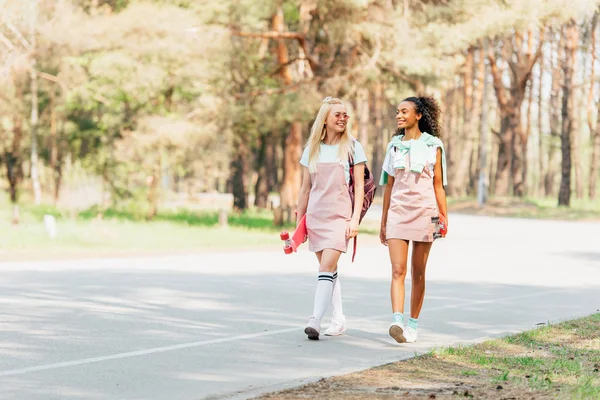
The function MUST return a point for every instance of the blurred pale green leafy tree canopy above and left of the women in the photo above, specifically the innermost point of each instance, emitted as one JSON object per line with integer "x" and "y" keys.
{"x": 133, "y": 89}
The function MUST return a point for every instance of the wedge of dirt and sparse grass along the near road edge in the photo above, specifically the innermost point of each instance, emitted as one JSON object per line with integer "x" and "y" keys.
{"x": 535, "y": 365}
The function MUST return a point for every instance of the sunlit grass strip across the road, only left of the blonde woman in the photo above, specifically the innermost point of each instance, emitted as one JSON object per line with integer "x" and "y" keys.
{"x": 122, "y": 232}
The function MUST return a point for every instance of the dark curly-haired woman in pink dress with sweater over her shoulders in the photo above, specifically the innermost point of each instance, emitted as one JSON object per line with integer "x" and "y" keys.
{"x": 414, "y": 175}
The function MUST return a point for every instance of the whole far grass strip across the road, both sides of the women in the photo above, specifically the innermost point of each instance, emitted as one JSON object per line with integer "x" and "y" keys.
{"x": 127, "y": 230}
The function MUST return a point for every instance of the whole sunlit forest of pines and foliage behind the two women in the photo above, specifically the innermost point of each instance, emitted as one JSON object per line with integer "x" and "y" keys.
{"x": 142, "y": 109}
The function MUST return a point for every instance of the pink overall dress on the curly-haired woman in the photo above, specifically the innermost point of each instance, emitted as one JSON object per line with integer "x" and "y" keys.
{"x": 412, "y": 205}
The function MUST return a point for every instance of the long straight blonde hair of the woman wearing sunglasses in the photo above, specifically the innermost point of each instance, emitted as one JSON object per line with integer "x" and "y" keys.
{"x": 319, "y": 131}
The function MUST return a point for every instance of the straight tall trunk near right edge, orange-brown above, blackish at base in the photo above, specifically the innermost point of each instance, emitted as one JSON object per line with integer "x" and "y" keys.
{"x": 569, "y": 123}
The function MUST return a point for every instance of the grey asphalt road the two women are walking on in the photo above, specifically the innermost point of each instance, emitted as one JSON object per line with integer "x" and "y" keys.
{"x": 230, "y": 325}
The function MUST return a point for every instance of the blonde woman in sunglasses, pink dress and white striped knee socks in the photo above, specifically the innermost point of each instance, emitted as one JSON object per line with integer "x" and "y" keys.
{"x": 330, "y": 220}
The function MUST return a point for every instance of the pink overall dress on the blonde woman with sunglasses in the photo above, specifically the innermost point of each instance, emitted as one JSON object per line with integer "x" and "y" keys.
{"x": 329, "y": 208}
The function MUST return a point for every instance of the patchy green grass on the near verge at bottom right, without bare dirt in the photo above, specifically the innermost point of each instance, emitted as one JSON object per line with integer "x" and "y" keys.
{"x": 563, "y": 357}
